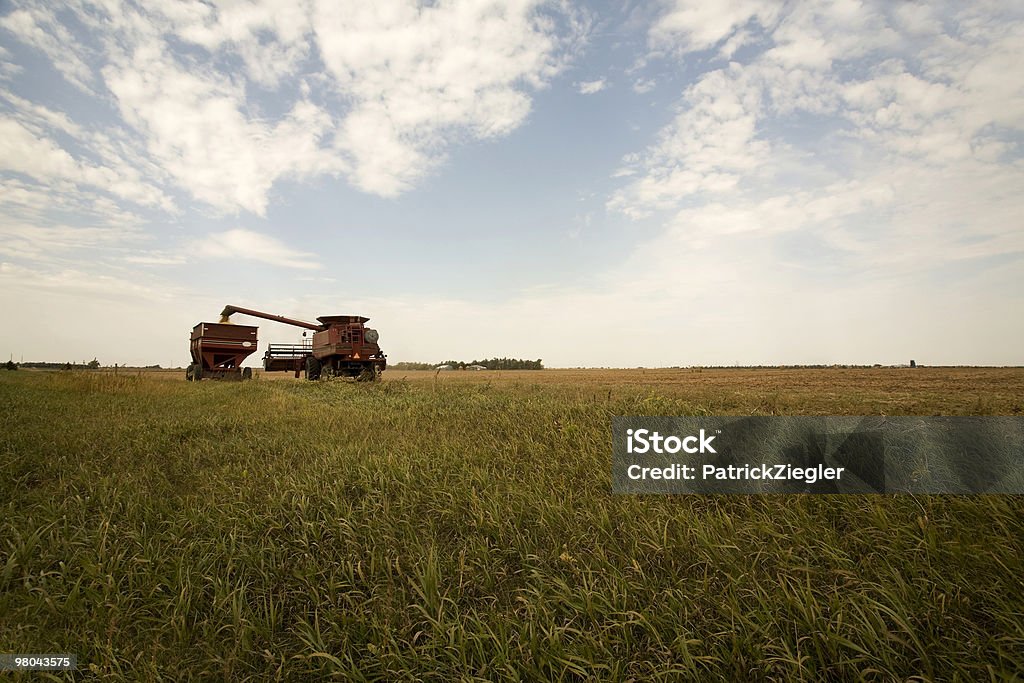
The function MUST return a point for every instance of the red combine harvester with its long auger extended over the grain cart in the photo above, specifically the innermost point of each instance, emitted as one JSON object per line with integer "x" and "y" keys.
{"x": 342, "y": 347}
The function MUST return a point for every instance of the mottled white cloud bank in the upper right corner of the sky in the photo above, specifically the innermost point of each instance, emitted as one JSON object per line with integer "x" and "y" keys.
{"x": 731, "y": 136}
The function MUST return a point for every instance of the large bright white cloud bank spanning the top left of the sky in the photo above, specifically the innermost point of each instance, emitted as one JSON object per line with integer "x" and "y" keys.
{"x": 401, "y": 84}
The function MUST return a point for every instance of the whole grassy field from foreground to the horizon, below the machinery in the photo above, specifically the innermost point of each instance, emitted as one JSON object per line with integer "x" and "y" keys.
{"x": 461, "y": 527}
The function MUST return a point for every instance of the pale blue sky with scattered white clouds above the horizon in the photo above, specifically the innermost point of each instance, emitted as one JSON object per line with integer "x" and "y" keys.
{"x": 622, "y": 185}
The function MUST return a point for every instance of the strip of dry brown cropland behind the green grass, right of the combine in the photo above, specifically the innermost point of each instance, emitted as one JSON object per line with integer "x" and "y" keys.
{"x": 785, "y": 392}
